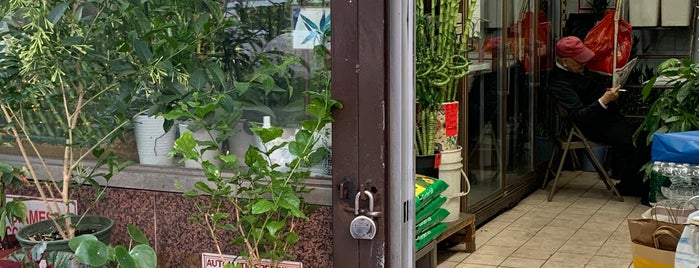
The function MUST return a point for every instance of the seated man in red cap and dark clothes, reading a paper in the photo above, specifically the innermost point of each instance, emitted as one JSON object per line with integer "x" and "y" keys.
{"x": 593, "y": 108}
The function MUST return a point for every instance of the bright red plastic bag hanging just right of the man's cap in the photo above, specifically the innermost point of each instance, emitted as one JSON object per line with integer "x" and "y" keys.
{"x": 600, "y": 40}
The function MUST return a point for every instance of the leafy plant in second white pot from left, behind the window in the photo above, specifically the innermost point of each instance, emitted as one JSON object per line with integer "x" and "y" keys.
{"x": 179, "y": 43}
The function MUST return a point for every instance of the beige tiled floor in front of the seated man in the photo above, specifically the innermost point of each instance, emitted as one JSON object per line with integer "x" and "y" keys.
{"x": 584, "y": 226}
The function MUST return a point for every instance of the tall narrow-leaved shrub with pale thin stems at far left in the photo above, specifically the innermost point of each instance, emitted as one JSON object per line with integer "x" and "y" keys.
{"x": 65, "y": 67}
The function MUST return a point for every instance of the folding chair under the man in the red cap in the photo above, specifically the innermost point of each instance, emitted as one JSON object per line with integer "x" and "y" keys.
{"x": 569, "y": 137}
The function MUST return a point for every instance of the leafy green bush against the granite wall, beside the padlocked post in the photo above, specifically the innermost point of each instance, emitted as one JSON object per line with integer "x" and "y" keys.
{"x": 265, "y": 197}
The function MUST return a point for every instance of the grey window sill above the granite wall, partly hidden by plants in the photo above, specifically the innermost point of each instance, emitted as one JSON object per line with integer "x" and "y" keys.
{"x": 161, "y": 178}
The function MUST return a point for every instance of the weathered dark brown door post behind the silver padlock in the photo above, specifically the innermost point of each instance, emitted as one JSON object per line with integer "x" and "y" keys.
{"x": 359, "y": 133}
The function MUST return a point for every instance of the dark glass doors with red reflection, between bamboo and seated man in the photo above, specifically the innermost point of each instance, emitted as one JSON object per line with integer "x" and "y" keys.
{"x": 508, "y": 60}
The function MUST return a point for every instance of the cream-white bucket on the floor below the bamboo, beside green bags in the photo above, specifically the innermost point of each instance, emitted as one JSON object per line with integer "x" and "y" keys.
{"x": 450, "y": 171}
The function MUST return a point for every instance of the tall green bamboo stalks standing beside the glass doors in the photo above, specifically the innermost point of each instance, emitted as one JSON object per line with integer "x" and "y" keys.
{"x": 440, "y": 63}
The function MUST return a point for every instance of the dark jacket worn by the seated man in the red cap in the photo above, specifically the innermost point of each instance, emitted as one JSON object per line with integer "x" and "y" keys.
{"x": 578, "y": 94}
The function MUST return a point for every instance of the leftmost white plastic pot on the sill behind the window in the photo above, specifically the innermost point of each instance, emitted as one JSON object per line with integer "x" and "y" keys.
{"x": 152, "y": 142}
